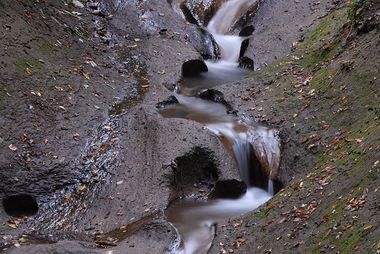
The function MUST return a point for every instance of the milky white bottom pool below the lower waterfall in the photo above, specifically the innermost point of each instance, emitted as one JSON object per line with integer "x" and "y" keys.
{"x": 195, "y": 221}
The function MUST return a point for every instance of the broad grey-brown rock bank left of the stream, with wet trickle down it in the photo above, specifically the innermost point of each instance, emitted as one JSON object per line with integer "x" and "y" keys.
{"x": 84, "y": 140}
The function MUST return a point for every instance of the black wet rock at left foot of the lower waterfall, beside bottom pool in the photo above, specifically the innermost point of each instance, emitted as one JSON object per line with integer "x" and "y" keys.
{"x": 229, "y": 189}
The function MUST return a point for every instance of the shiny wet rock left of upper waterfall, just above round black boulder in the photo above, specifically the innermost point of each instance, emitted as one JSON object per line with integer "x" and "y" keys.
{"x": 203, "y": 42}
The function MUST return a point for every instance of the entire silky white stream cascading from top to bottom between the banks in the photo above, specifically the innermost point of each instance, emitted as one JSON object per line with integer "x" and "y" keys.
{"x": 195, "y": 221}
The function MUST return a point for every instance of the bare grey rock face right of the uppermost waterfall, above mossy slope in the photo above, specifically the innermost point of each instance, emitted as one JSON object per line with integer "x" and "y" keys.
{"x": 278, "y": 32}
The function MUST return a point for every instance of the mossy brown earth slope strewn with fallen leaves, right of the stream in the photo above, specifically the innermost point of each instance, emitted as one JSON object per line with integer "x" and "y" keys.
{"x": 325, "y": 95}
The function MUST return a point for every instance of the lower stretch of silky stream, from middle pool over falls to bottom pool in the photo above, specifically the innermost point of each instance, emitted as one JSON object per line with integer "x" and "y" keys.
{"x": 195, "y": 221}
